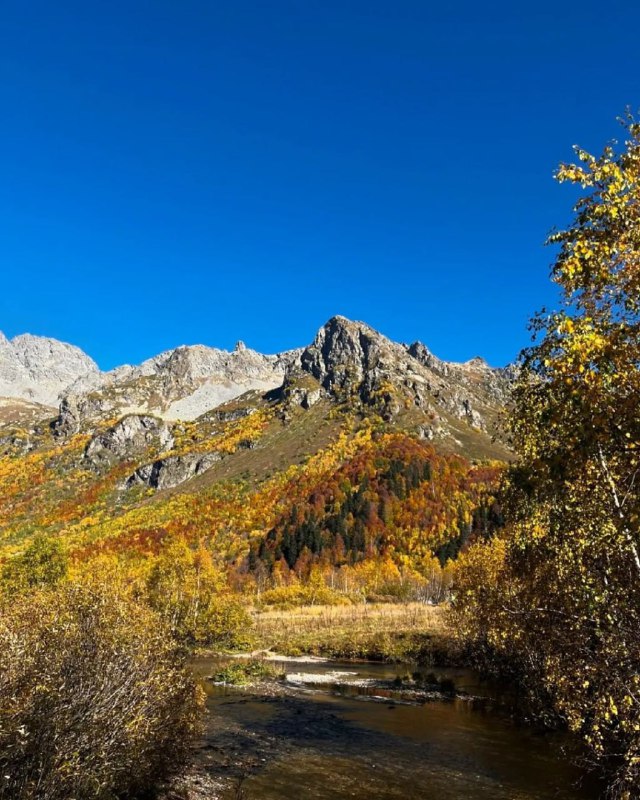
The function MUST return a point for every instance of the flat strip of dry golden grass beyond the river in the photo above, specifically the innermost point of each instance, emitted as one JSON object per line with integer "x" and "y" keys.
{"x": 381, "y": 632}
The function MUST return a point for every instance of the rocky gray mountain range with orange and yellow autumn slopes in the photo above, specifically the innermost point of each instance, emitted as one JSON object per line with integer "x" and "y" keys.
{"x": 351, "y": 446}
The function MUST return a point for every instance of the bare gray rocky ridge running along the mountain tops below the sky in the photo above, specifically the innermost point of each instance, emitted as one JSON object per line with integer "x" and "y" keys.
{"x": 347, "y": 360}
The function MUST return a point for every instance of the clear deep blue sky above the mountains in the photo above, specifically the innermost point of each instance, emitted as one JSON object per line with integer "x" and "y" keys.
{"x": 183, "y": 172}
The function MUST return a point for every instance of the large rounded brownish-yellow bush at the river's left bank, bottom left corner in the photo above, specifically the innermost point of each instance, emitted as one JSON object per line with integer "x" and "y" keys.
{"x": 95, "y": 703}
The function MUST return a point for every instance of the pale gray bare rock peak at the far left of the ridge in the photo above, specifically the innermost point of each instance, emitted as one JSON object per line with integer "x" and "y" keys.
{"x": 39, "y": 369}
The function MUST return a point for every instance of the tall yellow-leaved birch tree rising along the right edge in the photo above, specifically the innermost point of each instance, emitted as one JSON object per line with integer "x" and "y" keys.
{"x": 563, "y": 604}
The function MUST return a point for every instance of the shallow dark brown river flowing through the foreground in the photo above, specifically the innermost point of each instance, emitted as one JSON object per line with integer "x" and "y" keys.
{"x": 342, "y": 730}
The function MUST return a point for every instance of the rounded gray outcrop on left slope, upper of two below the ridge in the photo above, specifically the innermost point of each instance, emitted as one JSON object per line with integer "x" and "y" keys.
{"x": 129, "y": 437}
